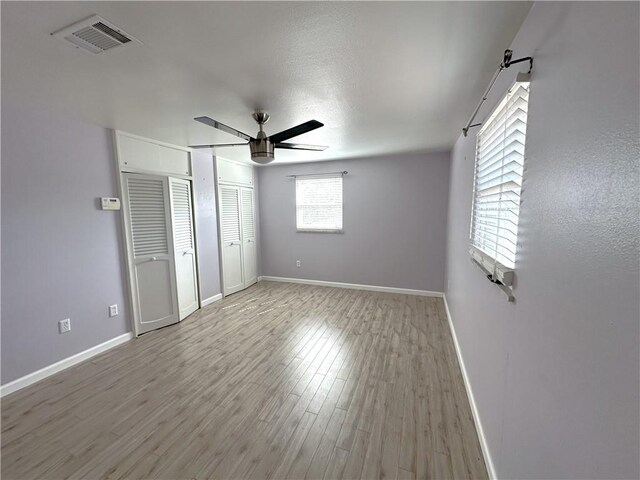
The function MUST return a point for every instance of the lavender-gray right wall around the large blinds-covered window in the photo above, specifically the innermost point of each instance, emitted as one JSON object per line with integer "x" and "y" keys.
{"x": 556, "y": 375}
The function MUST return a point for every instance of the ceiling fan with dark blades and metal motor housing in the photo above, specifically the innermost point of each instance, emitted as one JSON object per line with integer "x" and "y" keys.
{"x": 262, "y": 147}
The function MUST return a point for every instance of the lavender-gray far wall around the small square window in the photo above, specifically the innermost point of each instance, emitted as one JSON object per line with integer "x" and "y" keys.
{"x": 394, "y": 223}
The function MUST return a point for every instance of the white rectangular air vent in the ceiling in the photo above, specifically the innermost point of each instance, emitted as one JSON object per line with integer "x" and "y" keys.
{"x": 95, "y": 35}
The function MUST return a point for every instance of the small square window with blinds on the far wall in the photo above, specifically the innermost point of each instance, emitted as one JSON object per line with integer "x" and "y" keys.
{"x": 319, "y": 203}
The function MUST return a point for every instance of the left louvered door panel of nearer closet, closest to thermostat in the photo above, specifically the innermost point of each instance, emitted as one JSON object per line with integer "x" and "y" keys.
{"x": 151, "y": 257}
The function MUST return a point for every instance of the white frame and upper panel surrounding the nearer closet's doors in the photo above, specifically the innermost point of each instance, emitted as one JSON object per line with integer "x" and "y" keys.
{"x": 160, "y": 166}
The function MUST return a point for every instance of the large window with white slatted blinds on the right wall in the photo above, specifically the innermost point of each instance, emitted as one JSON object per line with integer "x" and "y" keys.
{"x": 498, "y": 179}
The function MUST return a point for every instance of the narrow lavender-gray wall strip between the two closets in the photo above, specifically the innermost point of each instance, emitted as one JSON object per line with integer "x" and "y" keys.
{"x": 206, "y": 224}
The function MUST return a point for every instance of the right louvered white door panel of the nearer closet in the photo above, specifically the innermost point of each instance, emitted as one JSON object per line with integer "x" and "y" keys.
{"x": 183, "y": 242}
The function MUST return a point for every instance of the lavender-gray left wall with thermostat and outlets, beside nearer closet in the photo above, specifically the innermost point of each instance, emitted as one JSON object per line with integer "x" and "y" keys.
{"x": 61, "y": 254}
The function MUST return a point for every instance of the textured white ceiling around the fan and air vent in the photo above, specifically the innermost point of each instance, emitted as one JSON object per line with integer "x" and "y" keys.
{"x": 384, "y": 77}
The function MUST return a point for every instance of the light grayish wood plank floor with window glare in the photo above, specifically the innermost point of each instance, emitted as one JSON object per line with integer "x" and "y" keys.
{"x": 277, "y": 381}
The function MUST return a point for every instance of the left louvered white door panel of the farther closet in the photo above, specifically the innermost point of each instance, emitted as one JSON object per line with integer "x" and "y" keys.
{"x": 231, "y": 246}
